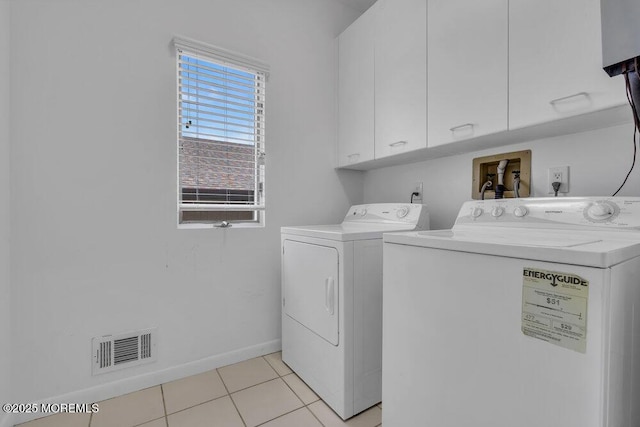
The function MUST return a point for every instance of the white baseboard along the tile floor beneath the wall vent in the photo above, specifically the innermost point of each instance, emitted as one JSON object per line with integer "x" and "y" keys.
{"x": 150, "y": 379}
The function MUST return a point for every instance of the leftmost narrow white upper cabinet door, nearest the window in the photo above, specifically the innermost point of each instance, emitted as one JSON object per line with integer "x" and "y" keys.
{"x": 355, "y": 91}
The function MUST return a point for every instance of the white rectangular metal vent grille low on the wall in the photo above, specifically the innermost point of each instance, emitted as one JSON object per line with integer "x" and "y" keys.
{"x": 113, "y": 352}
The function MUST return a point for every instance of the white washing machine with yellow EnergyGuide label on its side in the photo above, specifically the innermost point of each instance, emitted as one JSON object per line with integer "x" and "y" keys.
{"x": 525, "y": 314}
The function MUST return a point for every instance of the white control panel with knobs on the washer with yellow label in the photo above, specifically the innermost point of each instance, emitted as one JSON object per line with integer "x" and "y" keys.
{"x": 607, "y": 212}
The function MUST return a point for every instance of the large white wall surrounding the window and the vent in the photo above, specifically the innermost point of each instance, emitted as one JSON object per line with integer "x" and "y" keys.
{"x": 95, "y": 249}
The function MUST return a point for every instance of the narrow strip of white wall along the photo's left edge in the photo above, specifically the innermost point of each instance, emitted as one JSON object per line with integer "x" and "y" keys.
{"x": 5, "y": 334}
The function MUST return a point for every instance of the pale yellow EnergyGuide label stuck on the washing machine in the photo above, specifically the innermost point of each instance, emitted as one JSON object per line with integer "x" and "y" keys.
{"x": 554, "y": 307}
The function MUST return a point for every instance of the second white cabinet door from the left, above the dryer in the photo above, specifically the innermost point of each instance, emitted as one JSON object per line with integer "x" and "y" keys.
{"x": 400, "y": 76}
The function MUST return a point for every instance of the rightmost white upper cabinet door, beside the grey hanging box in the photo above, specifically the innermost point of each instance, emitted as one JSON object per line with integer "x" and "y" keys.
{"x": 555, "y": 61}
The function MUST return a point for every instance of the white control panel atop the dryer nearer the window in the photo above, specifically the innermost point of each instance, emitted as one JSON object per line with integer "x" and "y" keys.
{"x": 389, "y": 213}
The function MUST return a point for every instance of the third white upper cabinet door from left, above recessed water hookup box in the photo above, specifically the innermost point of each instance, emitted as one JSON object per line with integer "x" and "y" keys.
{"x": 467, "y": 69}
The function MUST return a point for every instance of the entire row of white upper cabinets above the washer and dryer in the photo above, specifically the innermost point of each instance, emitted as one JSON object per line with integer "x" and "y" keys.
{"x": 419, "y": 74}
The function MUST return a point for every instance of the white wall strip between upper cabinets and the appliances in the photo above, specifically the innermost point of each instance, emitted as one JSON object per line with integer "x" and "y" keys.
{"x": 598, "y": 161}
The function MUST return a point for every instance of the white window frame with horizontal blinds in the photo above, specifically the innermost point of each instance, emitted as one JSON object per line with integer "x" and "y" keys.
{"x": 222, "y": 213}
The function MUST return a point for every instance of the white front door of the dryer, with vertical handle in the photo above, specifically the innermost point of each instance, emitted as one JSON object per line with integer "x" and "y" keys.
{"x": 310, "y": 285}
